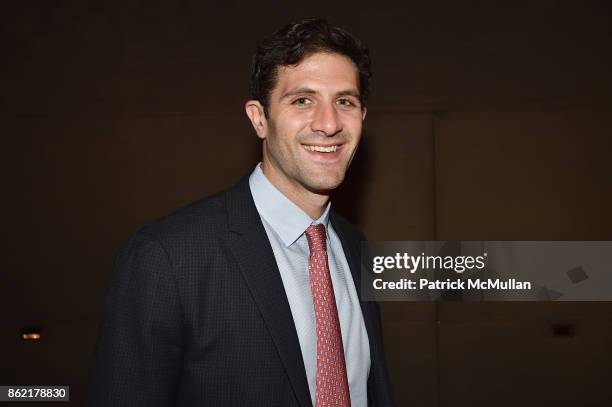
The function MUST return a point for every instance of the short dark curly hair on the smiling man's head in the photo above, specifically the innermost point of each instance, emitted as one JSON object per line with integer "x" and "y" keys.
{"x": 296, "y": 41}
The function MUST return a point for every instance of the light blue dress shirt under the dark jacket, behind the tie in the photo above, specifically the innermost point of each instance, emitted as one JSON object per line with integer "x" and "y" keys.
{"x": 286, "y": 224}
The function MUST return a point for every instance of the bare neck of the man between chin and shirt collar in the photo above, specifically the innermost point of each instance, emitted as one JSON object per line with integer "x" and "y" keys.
{"x": 312, "y": 203}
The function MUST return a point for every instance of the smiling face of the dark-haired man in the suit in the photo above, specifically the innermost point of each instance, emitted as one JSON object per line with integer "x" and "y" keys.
{"x": 314, "y": 124}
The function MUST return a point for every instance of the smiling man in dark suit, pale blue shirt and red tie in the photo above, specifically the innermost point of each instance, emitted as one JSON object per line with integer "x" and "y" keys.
{"x": 251, "y": 297}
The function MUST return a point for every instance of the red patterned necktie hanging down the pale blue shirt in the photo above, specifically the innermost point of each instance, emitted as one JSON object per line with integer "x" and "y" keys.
{"x": 332, "y": 383}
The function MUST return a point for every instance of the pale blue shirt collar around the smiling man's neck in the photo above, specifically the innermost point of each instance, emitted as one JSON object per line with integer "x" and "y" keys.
{"x": 287, "y": 219}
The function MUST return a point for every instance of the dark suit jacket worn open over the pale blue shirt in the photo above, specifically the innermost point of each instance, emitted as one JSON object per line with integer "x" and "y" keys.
{"x": 196, "y": 315}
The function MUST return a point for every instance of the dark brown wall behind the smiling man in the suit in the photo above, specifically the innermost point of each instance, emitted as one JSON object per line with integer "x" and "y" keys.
{"x": 486, "y": 122}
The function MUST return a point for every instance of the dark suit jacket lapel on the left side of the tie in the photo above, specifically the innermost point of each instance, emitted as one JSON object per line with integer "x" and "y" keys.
{"x": 253, "y": 252}
